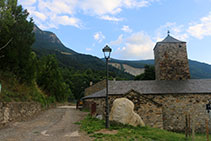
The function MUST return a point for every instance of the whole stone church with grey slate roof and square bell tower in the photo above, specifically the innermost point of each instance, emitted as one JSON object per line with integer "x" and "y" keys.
{"x": 164, "y": 102}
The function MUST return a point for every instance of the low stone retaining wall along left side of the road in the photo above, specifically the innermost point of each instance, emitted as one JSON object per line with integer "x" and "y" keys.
{"x": 17, "y": 111}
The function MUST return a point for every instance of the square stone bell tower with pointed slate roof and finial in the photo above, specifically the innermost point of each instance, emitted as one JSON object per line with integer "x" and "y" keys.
{"x": 171, "y": 61}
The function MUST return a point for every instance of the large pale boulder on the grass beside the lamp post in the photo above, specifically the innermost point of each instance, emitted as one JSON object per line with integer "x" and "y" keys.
{"x": 122, "y": 111}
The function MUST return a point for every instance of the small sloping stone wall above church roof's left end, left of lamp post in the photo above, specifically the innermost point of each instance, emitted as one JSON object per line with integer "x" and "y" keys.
{"x": 95, "y": 88}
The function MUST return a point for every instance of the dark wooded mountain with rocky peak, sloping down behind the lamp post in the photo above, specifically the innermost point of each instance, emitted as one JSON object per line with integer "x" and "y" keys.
{"x": 48, "y": 43}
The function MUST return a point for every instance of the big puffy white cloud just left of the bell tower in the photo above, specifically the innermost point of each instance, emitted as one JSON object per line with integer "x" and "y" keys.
{"x": 138, "y": 46}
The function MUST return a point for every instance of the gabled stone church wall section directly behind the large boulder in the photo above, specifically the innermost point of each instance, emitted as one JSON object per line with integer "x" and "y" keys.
{"x": 149, "y": 111}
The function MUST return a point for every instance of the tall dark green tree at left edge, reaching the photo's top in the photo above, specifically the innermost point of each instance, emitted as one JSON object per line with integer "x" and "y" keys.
{"x": 14, "y": 25}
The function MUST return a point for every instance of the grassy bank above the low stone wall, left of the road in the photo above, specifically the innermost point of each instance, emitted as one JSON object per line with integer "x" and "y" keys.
{"x": 13, "y": 91}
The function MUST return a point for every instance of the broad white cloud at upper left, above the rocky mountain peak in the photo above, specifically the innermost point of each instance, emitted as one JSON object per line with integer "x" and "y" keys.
{"x": 52, "y": 13}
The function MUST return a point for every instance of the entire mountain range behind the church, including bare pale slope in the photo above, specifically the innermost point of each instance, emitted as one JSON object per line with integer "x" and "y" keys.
{"x": 48, "y": 43}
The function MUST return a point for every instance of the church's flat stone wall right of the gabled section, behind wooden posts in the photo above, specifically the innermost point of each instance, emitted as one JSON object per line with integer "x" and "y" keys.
{"x": 175, "y": 107}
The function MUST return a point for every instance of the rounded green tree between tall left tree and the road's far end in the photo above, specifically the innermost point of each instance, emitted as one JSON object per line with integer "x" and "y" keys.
{"x": 51, "y": 81}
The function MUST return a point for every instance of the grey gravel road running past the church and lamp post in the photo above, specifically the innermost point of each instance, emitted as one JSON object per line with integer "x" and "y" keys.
{"x": 52, "y": 125}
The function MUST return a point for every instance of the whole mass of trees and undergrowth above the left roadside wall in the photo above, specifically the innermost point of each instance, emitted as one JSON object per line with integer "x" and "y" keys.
{"x": 23, "y": 64}
